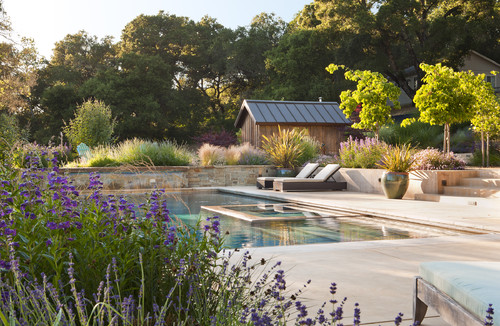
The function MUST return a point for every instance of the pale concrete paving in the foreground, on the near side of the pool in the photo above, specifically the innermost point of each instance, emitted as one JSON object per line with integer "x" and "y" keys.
{"x": 379, "y": 275}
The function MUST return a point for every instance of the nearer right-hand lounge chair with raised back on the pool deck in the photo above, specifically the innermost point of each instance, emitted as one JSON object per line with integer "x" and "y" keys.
{"x": 319, "y": 182}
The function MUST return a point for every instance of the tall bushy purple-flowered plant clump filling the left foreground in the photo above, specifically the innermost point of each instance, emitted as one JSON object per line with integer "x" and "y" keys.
{"x": 48, "y": 219}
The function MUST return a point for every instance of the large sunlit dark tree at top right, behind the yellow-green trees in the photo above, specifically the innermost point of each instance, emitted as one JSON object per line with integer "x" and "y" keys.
{"x": 391, "y": 36}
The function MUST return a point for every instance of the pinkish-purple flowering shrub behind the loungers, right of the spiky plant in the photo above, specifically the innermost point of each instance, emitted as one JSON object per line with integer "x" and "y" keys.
{"x": 361, "y": 153}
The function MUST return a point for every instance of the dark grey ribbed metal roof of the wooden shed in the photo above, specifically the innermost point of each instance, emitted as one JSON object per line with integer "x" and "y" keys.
{"x": 291, "y": 112}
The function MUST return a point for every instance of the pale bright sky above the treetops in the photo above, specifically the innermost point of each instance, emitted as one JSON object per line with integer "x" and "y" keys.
{"x": 49, "y": 21}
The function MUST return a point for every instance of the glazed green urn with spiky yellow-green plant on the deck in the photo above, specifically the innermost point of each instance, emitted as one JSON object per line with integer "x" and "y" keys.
{"x": 398, "y": 162}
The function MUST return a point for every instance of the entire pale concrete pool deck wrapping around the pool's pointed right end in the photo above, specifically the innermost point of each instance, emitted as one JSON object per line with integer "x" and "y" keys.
{"x": 379, "y": 275}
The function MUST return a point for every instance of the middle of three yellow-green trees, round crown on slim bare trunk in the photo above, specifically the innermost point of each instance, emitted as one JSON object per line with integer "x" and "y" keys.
{"x": 445, "y": 98}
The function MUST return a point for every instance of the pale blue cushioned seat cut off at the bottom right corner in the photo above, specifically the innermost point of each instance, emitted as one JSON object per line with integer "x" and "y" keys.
{"x": 459, "y": 291}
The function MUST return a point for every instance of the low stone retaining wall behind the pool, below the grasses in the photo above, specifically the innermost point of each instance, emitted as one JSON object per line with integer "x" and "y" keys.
{"x": 171, "y": 176}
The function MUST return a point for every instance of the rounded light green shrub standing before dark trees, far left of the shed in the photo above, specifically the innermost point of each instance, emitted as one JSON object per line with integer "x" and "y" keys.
{"x": 92, "y": 124}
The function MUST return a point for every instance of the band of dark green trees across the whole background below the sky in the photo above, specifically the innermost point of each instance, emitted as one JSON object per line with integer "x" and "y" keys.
{"x": 171, "y": 77}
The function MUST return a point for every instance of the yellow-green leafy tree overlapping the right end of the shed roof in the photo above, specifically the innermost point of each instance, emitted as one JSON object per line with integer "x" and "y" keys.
{"x": 373, "y": 93}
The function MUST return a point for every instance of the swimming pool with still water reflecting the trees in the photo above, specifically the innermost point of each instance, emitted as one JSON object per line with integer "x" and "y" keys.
{"x": 301, "y": 226}
